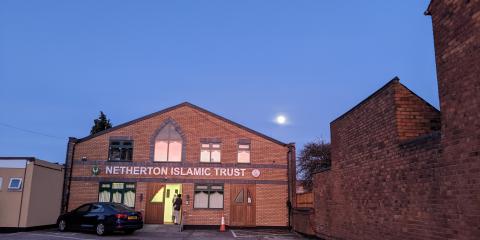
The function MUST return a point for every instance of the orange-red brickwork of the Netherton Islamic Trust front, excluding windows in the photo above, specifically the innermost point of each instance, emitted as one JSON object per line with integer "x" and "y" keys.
{"x": 195, "y": 124}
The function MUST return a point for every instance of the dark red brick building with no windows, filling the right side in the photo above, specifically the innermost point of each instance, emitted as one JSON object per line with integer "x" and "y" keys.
{"x": 401, "y": 169}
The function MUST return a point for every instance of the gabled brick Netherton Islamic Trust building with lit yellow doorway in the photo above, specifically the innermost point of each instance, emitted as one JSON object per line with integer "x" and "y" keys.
{"x": 219, "y": 167}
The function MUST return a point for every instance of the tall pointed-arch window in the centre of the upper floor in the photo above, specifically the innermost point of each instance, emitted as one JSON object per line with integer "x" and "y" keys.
{"x": 168, "y": 145}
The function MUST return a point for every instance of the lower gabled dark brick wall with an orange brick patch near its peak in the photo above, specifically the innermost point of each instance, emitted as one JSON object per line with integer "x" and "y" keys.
{"x": 379, "y": 185}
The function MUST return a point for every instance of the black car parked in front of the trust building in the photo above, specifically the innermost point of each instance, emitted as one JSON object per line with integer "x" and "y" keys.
{"x": 101, "y": 218}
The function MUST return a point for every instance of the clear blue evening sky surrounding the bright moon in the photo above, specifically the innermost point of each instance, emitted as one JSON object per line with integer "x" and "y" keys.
{"x": 61, "y": 62}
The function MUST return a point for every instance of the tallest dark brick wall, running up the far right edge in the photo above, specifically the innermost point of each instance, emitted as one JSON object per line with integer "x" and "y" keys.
{"x": 456, "y": 25}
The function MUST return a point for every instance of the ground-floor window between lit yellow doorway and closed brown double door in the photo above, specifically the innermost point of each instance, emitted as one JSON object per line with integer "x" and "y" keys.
{"x": 208, "y": 196}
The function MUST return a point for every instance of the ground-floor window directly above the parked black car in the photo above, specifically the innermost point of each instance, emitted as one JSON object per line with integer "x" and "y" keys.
{"x": 117, "y": 192}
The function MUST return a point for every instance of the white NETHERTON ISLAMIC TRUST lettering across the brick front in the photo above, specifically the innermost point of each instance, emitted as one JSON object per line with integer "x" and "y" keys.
{"x": 176, "y": 171}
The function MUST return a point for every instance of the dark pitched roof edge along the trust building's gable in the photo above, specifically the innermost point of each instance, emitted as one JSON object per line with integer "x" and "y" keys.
{"x": 171, "y": 109}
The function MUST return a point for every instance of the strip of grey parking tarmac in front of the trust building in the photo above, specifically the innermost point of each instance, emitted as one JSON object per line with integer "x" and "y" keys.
{"x": 156, "y": 233}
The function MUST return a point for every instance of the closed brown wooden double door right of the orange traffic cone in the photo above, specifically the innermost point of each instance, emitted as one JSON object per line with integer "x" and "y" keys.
{"x": 243, "y": 205}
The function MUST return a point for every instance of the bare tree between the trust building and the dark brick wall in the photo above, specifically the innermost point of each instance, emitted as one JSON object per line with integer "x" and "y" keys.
{"x": 315, "y": 156}
